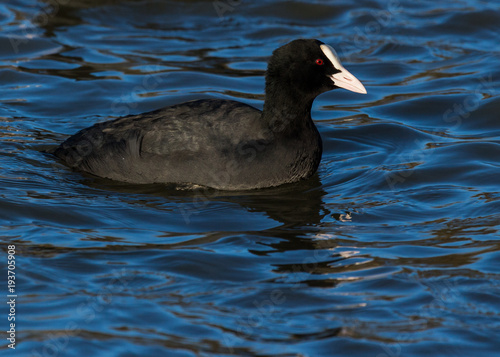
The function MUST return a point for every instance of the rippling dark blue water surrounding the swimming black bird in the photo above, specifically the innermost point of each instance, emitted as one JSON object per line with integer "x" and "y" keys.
{"x": 391, "y": 250}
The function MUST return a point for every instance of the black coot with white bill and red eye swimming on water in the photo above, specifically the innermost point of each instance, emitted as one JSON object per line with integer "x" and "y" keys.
{"x": 217, "y": 143}
